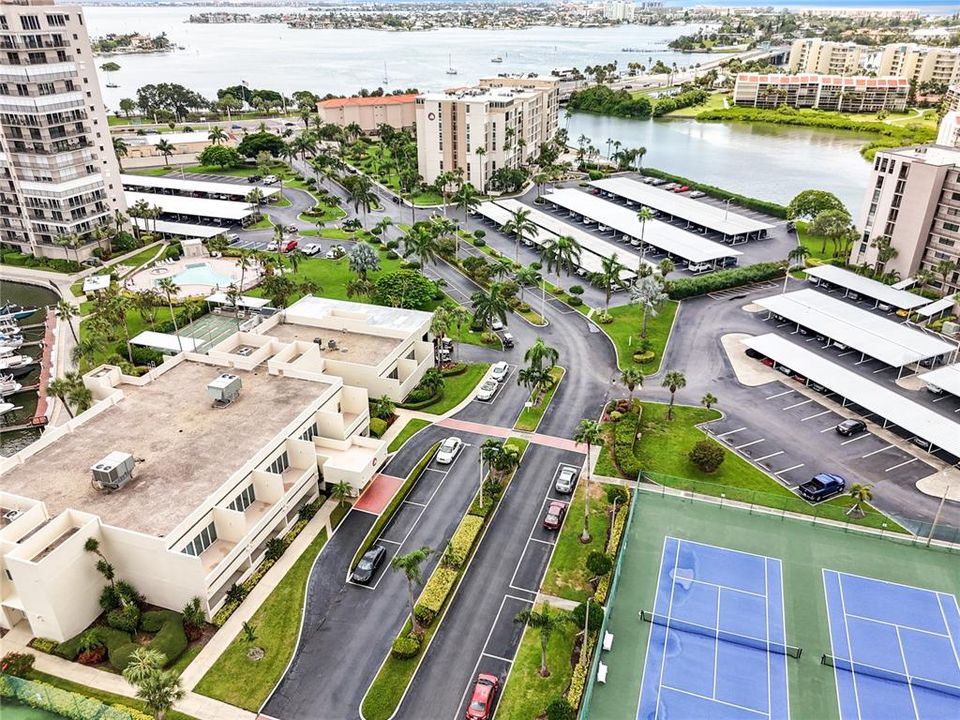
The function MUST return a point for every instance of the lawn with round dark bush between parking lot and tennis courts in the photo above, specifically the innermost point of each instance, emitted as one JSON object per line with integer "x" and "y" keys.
{"x": 663, "y": 448}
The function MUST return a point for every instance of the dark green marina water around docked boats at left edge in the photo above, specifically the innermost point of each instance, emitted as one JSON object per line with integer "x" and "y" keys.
{"x": 28, "y": 296}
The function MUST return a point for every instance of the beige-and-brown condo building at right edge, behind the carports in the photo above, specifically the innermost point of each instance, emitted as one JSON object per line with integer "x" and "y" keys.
{"x": 913, "y": 199}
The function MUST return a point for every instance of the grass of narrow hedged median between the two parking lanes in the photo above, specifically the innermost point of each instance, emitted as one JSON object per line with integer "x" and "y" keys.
{"x": 394, "y": 676}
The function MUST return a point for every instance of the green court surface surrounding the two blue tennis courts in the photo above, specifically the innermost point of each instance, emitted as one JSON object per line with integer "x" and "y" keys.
{"x": 804, "y": 551}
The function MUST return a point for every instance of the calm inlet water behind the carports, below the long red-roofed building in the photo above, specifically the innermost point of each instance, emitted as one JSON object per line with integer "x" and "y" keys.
{"x": 770, "y": 162}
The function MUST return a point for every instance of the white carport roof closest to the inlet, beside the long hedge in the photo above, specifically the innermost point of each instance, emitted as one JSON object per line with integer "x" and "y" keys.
{"x": 709, "y": 216}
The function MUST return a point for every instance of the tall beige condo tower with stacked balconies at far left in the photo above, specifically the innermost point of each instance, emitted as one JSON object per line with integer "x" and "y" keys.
{"x": 59, "y": 176}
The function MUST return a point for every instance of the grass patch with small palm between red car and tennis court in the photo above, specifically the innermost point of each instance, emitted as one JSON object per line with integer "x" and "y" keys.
{"x": 527, "y": 694}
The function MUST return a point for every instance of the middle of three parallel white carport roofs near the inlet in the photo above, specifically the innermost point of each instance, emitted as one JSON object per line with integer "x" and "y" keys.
{"x": 675, "y": 241}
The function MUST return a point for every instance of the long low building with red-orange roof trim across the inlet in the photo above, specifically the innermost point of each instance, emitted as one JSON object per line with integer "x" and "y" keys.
{"x": 821, "y": 92}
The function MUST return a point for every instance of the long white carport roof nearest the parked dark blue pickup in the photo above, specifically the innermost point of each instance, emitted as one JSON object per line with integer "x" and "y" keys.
{"x": 897, "y": 409}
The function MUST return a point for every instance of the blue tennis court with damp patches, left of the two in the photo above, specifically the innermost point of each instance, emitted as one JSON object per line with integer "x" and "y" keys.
{"x": 717, "y": 641}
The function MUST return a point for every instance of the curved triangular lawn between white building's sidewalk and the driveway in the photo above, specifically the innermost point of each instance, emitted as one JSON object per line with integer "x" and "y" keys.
{"x": 236, "y": 680}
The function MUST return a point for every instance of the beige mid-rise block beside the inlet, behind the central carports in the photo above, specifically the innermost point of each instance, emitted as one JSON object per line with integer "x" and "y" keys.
{"x": 500, "y": 123}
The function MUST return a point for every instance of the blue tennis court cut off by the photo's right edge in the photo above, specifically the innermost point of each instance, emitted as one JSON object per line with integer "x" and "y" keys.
{"x": 896, "y": 649}
